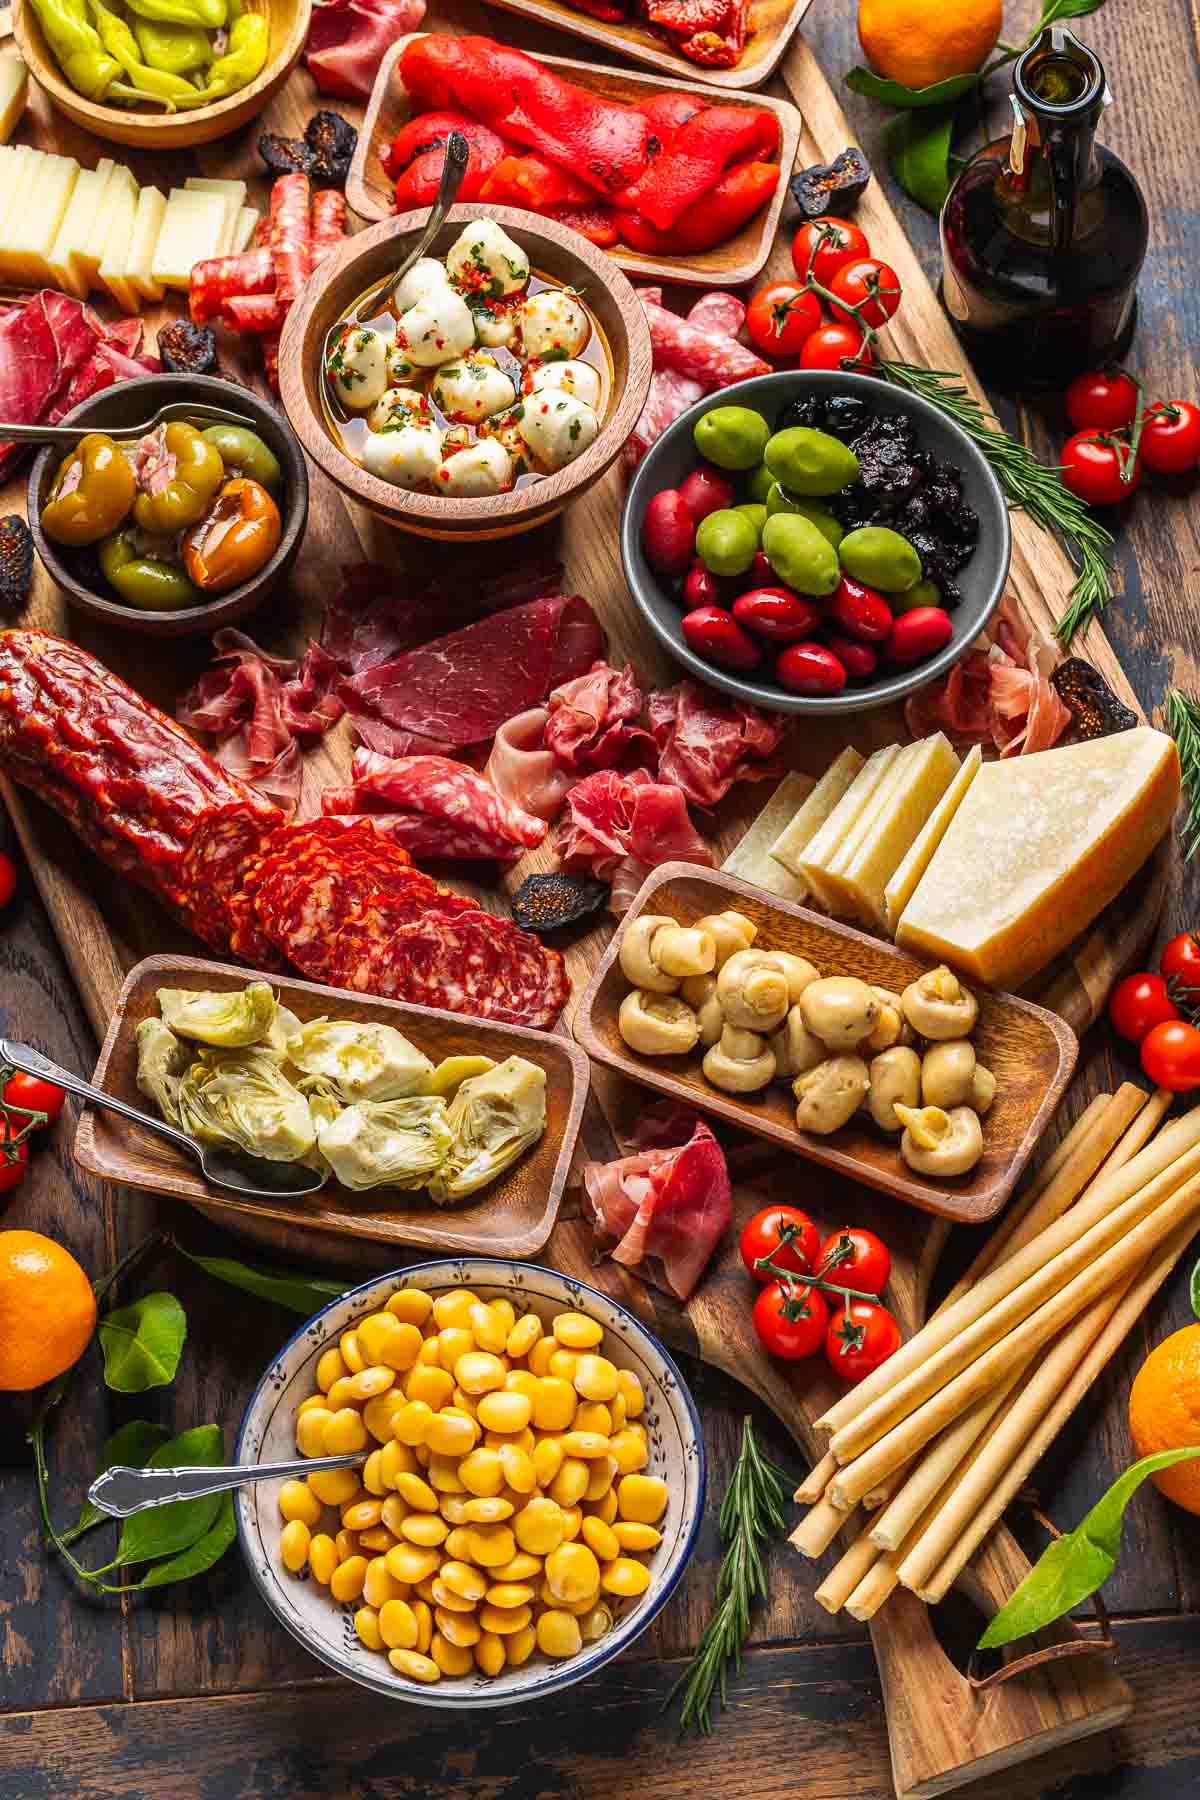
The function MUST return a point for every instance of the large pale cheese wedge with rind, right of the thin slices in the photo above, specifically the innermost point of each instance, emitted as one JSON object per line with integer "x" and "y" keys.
{"x": 1037, "y": 850}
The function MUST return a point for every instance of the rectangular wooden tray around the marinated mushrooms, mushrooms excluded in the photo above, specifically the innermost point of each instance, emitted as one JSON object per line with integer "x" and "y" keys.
{"x": 1030, "y": 1050}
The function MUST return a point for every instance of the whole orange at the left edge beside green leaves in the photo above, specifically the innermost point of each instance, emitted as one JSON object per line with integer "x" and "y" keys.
{"x": 48, "y": 1309}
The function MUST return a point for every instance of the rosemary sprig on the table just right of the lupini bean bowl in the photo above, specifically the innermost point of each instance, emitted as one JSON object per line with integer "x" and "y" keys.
{"x": 751, "y": 1509}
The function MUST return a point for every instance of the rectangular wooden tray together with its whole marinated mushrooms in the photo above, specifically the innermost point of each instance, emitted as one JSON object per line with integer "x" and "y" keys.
{"x": 843, "y": 1048}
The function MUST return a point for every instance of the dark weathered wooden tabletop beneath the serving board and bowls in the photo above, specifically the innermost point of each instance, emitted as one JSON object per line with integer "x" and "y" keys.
{"x": 195, "y": 1695}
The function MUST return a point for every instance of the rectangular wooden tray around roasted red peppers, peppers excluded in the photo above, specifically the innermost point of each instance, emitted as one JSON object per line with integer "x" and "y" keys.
{"x": 737, "y": 260}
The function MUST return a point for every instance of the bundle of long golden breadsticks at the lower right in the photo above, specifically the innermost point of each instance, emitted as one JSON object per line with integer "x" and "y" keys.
{"x": 927, "y": 1452}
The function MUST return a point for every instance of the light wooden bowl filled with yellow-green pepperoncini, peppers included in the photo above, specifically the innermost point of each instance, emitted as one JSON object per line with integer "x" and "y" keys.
{"x": 154, "y": 127}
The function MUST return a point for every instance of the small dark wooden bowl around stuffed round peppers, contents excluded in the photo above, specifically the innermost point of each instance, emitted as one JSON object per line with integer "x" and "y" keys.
{"x": 127, "y": 404}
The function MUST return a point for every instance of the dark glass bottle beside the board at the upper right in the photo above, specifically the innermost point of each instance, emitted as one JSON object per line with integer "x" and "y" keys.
{"x": 1044, "y": 233}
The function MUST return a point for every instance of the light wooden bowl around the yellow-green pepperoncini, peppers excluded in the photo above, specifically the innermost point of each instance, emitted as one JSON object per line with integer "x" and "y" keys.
{"x": 157, "y": 130}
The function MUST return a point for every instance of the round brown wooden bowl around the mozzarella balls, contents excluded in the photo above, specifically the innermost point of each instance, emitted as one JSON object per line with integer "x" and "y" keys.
{"x": 373, "y": 255}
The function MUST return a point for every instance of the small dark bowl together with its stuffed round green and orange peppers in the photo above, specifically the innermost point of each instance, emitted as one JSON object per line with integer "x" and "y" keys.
{"x": 172, "y": 564}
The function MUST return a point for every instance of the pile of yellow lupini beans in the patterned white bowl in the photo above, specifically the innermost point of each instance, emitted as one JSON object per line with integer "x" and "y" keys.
{"x": 503, "y": 1507}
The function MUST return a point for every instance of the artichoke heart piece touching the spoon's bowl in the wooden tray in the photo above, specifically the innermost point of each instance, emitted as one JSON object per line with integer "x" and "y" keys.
{"x": 244, "y": 1097}
